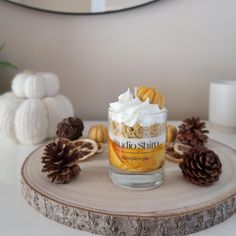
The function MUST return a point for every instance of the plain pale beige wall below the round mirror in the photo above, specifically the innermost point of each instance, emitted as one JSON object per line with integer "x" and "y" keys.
{"x": 178, "y": 45}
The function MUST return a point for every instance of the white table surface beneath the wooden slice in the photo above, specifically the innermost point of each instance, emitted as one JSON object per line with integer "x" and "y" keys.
{"x": 18, "y": 218}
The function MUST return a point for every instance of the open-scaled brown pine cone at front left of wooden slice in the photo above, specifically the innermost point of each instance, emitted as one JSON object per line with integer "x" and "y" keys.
{"x": 60, "y": 161}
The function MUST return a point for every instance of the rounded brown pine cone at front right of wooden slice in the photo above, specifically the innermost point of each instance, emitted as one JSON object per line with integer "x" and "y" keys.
{"x": 201, "y": 166}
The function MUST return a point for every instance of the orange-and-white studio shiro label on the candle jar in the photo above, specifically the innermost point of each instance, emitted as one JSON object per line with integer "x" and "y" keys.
{"x": 146, "y": 154}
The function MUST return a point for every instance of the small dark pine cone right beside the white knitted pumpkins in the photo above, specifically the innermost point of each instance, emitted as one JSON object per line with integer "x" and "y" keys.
{"x": 70, "y": 128}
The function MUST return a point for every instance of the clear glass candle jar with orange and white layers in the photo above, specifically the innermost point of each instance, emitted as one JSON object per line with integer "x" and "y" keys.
{"x": 137, "y": 150}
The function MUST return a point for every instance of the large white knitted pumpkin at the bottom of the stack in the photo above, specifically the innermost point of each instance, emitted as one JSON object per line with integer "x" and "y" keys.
{"x": 32, "y": 120}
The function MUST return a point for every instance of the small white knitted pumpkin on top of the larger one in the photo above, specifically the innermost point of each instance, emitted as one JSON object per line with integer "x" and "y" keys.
{"x": 32, "y": 84}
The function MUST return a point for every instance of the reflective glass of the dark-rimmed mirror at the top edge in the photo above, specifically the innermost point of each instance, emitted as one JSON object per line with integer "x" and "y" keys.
{"x": 81, "y": 6}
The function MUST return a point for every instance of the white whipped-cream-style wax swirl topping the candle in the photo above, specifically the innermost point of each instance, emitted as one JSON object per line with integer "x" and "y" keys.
{"x": 128, "y": 109}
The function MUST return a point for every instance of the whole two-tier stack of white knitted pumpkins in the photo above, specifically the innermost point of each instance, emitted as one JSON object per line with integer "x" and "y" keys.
{"x": 32, "y": 111}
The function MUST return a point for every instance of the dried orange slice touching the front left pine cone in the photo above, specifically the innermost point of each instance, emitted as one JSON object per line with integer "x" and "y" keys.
{"x": 85, "y": 148}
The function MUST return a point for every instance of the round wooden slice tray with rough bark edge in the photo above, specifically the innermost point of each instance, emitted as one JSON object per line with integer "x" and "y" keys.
{"x": 92, "y": 203}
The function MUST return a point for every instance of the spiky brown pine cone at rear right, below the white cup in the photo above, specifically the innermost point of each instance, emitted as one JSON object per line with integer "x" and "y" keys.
{"x": 192, "y": 132}
